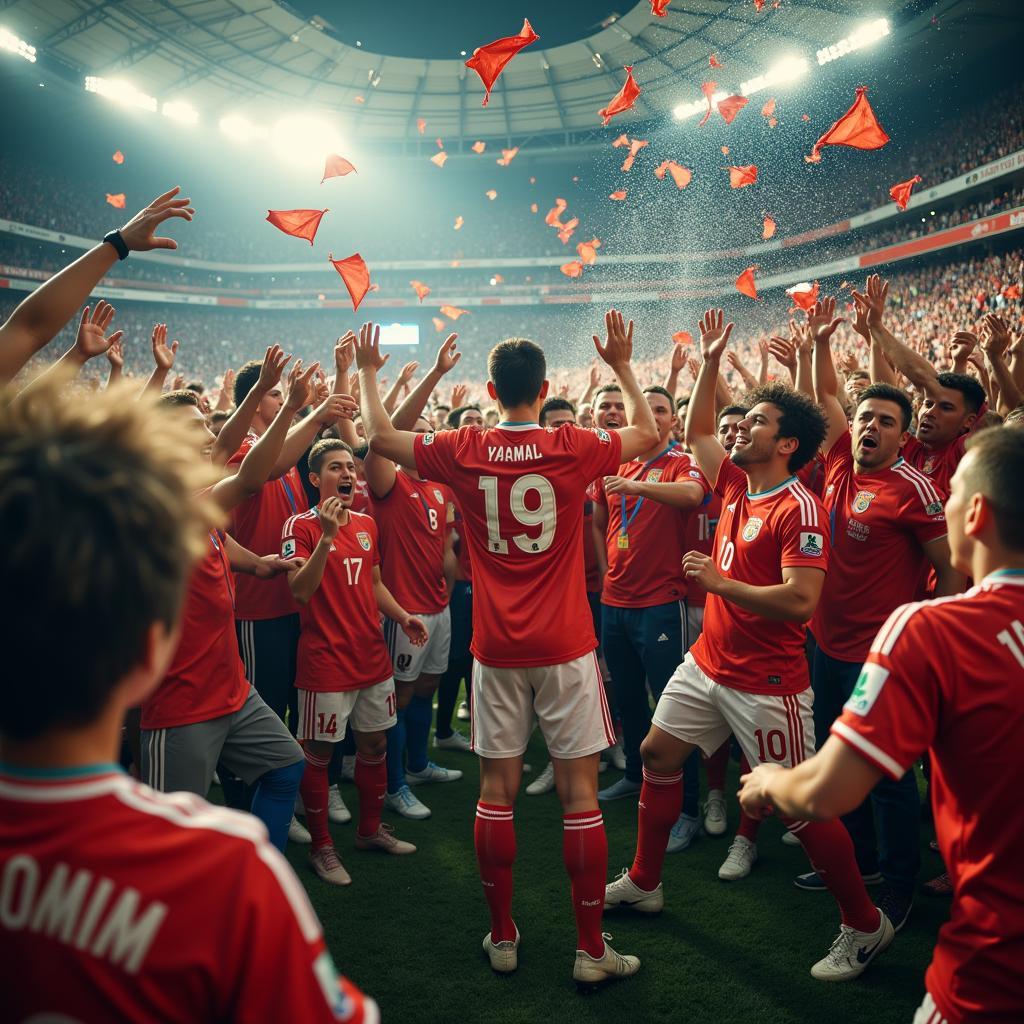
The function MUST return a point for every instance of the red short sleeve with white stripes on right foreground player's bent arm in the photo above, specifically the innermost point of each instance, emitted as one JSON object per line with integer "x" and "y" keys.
{"x": 892, "y": 715}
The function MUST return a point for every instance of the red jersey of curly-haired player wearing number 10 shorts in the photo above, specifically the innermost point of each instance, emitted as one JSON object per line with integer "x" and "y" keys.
{"x": 759, "y": 536}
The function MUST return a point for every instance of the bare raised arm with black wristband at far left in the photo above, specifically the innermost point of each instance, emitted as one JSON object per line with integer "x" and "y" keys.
{"x": 40, "y": 318}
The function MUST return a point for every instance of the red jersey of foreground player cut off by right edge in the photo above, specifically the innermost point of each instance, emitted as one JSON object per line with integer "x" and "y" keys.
{"x": 949, "y": 676}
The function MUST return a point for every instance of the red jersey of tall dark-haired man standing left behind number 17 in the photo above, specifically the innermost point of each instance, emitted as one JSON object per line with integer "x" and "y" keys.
{"x": 257, "y": 525}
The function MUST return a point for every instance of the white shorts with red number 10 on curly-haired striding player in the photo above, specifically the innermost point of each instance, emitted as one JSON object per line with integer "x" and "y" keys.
{"x": 699, "y": 711}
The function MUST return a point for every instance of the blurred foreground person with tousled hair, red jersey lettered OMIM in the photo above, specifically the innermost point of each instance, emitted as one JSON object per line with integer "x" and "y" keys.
{"x": 121, "y": 904}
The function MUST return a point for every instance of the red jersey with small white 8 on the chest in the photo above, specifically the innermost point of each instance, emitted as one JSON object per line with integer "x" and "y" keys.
{"x": 412, "y": 520}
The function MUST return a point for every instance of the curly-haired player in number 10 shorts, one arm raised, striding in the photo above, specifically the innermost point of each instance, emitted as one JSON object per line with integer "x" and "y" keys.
{"x": 748, "y": 673}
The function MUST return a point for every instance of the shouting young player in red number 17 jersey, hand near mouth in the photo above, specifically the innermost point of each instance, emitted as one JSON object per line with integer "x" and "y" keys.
{"x": 345, "y": 670}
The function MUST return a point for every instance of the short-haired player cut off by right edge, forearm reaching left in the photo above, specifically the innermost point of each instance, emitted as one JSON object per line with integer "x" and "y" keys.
{"x": 948, "y": 676}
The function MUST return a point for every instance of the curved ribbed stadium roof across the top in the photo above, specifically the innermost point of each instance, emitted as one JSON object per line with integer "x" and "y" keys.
{"x": 257, "y": 58}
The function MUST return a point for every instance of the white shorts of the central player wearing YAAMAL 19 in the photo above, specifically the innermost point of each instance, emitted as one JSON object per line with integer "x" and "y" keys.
{"x": 567, "y": 701}
